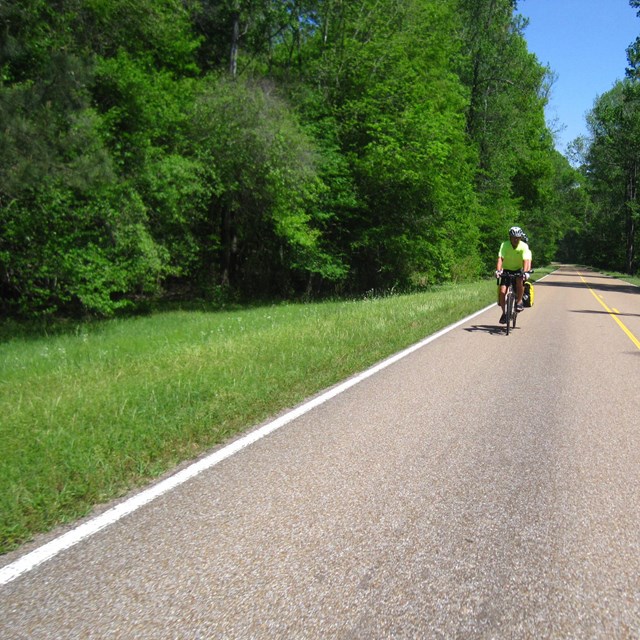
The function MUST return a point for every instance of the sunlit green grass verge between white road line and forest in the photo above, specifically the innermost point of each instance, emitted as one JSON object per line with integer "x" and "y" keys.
{"x": 88, "y": 415}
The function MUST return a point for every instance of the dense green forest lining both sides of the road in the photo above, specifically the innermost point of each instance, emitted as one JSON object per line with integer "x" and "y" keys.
{"x": 223, "y": 149}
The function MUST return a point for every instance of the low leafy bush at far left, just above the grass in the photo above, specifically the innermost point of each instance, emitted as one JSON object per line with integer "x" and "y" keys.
{"x": 58, "y": 254}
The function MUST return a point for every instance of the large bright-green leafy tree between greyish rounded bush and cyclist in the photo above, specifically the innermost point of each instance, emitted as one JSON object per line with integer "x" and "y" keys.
{"x": 383, "y": 72}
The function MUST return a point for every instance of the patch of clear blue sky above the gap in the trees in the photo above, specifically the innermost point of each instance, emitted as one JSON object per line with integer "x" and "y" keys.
{"x": 584, "y": 42}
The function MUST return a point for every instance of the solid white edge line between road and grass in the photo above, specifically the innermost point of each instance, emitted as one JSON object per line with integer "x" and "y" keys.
{"x": 65, "y": 541}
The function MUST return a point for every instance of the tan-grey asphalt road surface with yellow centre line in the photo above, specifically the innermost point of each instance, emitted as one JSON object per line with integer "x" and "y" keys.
{"x": 483, "y": 487}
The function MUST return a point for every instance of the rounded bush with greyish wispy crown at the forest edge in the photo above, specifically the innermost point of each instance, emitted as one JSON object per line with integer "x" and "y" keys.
{"x": 267, "y": 185}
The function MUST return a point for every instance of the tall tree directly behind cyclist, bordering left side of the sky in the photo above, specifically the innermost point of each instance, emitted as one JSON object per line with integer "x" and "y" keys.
{"x": 508, "y": 89}
